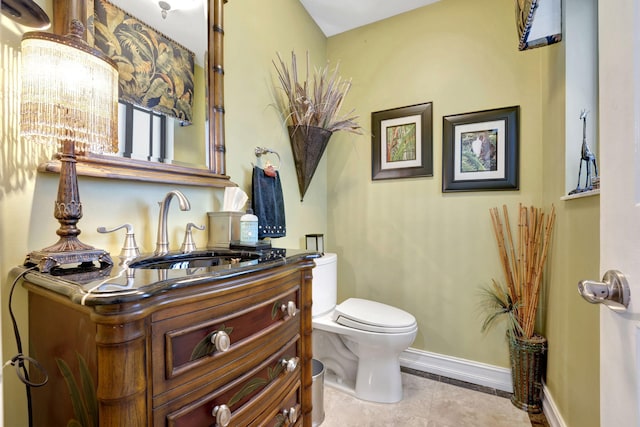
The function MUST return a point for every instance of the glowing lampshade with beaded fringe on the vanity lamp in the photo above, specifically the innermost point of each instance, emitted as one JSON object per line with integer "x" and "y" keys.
{"x": 68, "y": 93}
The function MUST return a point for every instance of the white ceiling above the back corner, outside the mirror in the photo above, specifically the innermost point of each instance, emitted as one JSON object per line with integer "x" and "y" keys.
{"x": 337, "y": 16}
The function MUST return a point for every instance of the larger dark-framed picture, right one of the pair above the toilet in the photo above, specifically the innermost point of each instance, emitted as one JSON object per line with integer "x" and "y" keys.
{"x": 480, "y": 150}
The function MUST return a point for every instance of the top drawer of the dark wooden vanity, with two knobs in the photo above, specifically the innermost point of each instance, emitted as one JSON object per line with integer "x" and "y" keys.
{"x": 184, "y": 353}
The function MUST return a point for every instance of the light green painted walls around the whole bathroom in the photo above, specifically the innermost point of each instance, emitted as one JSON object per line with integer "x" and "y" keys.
{"x": 403, "y": 242}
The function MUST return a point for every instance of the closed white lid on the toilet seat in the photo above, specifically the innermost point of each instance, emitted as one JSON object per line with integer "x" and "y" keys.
{"x": 373, "y": 316}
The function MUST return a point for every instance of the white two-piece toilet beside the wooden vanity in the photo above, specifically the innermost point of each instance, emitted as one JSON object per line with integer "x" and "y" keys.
{"x": 359, "y": 341}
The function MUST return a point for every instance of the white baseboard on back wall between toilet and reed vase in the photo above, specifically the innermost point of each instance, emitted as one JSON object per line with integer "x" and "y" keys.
{"x": 457, "y": 368}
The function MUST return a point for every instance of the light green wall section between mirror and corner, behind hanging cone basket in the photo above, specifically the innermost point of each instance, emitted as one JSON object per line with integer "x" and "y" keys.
{"x": 255, "y": 31}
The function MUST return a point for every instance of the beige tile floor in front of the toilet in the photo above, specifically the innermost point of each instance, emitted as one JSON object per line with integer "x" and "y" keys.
{"x": 429, "y": 402}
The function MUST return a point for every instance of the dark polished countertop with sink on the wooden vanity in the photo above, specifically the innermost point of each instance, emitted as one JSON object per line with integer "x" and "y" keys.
{"x": 121, "y": 283}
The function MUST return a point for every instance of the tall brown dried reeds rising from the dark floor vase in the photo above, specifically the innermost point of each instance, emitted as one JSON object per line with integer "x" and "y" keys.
{"x": 523, "y": 263}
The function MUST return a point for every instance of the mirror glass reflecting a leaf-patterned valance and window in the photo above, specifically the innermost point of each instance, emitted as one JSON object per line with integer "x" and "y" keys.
{"x": 164, "y": 117}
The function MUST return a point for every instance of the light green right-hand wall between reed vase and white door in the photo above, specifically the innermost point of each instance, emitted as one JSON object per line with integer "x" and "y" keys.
{"x": 570, "y": 323}
